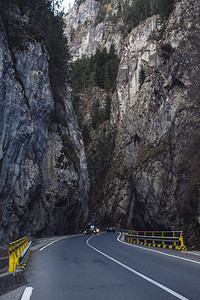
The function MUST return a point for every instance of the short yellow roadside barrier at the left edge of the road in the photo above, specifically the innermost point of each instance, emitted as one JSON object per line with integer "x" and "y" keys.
{"x": 19, "y": 252}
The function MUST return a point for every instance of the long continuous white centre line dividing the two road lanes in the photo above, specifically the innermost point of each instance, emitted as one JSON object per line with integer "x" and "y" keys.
{"x": 138, "y": 273}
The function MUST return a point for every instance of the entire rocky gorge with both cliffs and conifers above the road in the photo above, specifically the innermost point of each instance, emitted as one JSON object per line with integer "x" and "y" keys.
{"x": 117, "y": 140}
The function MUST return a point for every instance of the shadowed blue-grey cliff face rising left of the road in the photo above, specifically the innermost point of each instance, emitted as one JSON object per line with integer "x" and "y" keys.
{"x": 44, "y": 181}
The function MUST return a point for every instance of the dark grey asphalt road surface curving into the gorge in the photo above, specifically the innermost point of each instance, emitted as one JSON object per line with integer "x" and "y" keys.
{"x": 101, "y": 267}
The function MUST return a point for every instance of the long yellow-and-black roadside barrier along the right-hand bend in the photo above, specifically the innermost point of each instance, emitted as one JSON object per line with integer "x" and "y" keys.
{"x": 160, "y": 239}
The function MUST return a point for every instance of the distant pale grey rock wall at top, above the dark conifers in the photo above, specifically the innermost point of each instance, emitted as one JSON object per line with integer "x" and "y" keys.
{"x": 86, "y": 31}
